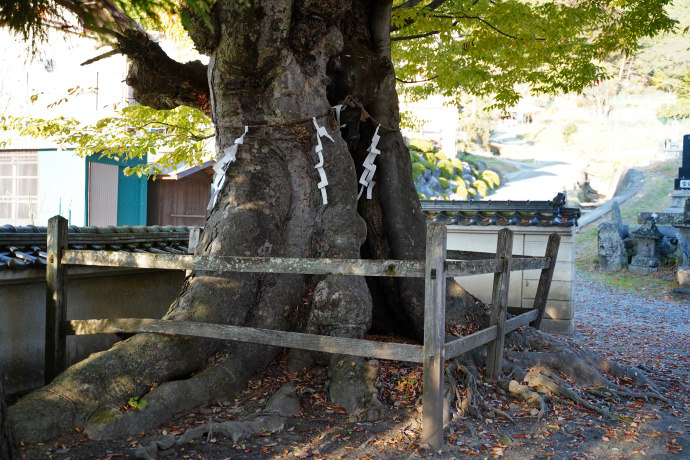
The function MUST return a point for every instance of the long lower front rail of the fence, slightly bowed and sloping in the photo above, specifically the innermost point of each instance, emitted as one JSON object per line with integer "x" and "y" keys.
{"x": 326, "y": 344}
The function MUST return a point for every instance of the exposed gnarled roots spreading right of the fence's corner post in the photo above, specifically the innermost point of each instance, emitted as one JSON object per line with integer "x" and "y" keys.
{"x": 539, "y": 366}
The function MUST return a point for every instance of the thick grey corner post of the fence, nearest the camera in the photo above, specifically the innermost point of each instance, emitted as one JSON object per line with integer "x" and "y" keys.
{"x": 434, "y": 334}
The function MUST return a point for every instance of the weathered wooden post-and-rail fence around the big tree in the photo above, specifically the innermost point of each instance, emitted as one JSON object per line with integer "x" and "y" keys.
{"x": 439, "y": 265}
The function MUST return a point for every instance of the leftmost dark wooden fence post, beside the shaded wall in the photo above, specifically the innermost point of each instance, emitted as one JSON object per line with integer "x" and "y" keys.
{"x": 55, "y": 348}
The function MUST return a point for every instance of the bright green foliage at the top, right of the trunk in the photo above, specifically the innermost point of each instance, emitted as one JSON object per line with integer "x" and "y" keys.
{"x": 488, "y": 48}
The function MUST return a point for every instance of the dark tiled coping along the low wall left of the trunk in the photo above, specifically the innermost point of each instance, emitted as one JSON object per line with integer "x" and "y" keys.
{"x": 25, "y": 247}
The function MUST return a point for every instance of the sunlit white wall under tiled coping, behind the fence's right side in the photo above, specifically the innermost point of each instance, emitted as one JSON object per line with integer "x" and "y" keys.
{"x": 529, "y": 241}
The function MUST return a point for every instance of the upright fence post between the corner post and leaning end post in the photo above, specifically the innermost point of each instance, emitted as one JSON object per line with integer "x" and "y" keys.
{"x": 499, "y": 298}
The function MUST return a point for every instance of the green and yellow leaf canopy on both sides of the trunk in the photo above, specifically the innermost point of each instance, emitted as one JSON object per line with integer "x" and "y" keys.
{"x": 452, "y": 47}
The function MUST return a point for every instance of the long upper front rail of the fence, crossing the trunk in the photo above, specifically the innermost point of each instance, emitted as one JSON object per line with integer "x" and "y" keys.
{"x": 355, "y": 267}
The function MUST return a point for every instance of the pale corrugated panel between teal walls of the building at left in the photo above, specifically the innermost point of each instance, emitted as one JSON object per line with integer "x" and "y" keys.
{"x": 103, "y": 193}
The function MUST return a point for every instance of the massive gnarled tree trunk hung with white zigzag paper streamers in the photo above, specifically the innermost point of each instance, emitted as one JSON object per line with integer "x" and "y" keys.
{"x": 275, "y": 65}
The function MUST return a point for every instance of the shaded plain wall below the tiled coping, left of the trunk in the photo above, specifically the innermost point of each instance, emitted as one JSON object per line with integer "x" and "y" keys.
{"x": 91, "y": 293}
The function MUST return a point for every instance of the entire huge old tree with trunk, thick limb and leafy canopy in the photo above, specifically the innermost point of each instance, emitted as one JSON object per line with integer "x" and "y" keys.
{"x": 277, "y": 67}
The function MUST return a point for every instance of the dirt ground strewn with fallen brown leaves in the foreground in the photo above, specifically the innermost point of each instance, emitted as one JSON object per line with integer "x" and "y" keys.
{"x": 651, "y": 430}
